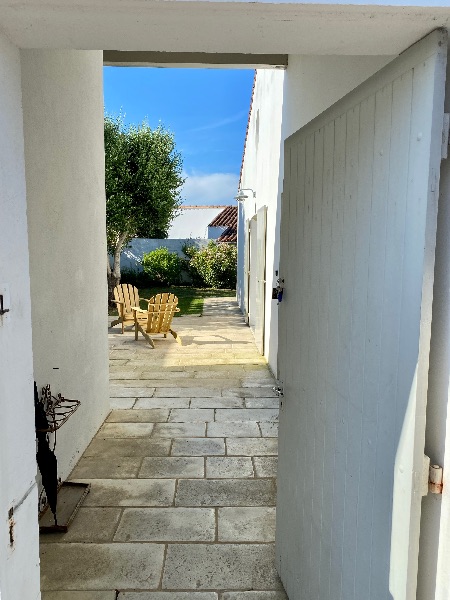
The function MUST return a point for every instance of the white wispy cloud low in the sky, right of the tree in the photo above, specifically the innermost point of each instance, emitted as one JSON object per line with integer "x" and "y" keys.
{"x": 211, "y": 188}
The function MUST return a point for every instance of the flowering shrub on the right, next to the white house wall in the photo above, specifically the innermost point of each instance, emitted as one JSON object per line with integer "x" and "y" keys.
{"x": 215, "y": 265}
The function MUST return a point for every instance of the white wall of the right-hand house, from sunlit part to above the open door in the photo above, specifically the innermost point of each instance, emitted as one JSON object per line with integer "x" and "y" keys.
{"x": 283, "y": 102}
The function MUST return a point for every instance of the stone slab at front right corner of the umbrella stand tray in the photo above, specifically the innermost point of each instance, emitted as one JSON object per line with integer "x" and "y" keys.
{"x": 91, "y": 525}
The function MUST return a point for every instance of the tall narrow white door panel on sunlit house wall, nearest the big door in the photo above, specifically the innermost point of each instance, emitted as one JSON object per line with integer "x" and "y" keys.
{"x": 260, "y": 286}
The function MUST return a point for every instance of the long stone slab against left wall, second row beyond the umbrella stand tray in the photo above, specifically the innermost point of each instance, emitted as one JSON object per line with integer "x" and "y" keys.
{"x": 114, "y": 447}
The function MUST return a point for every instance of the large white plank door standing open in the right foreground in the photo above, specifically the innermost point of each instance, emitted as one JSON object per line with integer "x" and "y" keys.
{"x": 357, "y": 254}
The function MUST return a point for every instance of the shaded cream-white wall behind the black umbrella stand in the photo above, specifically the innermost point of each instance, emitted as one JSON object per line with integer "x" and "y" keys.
{"x": 64, "y": 156}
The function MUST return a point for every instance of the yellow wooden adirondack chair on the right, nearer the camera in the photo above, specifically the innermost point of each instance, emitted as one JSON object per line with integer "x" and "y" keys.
{"x": 157, "y": 318}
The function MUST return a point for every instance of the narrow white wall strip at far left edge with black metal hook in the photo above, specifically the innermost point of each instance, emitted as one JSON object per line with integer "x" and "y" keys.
{"x": 17, "y": 437}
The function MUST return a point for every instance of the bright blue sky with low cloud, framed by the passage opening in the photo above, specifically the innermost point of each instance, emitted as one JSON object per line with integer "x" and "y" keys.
{"x": 206, "y": 109}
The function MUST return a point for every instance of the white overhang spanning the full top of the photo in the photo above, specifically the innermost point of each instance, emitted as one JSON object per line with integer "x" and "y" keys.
{"x": 221, "y": 27}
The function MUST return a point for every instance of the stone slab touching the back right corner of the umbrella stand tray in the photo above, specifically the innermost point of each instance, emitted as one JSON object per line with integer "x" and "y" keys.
{"x": 130, "y": 492}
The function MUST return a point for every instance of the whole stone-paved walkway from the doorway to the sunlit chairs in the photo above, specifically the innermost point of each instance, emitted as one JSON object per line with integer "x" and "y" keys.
{"x": 182, "y": 504}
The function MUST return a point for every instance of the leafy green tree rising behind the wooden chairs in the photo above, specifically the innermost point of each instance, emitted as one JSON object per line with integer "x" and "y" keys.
{"x": 143, "y": 179}
